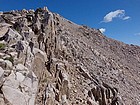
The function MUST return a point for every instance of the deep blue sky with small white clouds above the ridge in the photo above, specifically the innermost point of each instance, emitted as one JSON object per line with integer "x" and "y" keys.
{"x": 120, "y": 19}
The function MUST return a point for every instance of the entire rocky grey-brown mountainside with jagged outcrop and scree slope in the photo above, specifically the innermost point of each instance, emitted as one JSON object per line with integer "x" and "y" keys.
{"x": 48, "y": 60}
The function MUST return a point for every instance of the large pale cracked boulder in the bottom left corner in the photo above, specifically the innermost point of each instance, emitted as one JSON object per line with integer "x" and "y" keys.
{"x": 18, "y": 88}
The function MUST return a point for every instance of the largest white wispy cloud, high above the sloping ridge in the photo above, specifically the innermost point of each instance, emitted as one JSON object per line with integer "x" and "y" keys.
{"x": 115, "y": 14}
